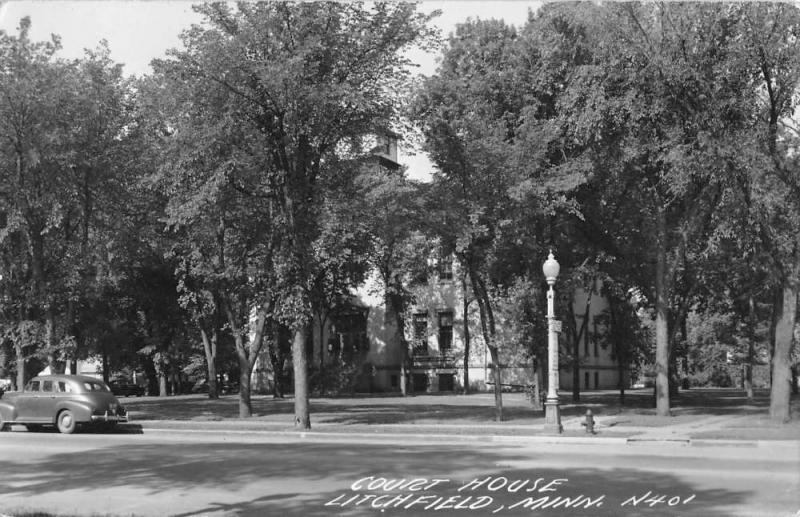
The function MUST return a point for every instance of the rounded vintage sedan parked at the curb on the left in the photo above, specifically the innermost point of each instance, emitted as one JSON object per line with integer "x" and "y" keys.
{"x": 64, "y": 401}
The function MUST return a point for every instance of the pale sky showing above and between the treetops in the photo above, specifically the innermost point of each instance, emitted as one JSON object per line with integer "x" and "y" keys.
{"x": 138, "y": 31}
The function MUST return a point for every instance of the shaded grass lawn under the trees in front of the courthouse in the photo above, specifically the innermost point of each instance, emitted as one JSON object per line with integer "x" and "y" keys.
{"x": 733, "y": 415}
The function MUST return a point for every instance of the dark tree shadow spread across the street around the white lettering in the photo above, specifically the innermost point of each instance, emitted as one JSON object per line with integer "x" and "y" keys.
{"x": 299, "y": 479}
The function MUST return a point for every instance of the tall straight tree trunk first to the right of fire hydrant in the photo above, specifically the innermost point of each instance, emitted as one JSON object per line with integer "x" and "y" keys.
{"x": 662, "y": 331}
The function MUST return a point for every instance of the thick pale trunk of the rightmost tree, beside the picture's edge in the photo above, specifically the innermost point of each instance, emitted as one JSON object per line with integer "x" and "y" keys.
{"x": 780, "y": 392}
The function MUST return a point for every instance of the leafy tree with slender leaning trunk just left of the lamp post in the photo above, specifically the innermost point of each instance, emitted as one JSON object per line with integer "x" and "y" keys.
{"x": 490, "y": 123}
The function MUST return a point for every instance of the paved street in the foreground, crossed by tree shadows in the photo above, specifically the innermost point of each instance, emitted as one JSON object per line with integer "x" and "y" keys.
{"x": 222, "y": 474}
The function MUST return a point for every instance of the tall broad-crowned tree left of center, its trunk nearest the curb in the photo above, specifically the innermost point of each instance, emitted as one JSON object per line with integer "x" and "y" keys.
{"x": 326, "y": 75}
